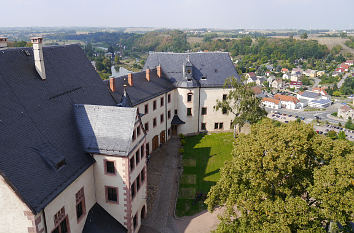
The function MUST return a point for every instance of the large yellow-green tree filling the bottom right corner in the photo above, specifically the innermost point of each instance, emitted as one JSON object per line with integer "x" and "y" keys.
{"x": 285, "y": 178}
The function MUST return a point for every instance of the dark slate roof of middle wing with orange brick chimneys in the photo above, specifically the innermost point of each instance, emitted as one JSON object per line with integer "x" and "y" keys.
{"x": 142, "y": 90}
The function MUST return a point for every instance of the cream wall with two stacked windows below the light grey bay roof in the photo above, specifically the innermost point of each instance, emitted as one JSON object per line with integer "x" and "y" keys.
{"x": 101, "y": 180}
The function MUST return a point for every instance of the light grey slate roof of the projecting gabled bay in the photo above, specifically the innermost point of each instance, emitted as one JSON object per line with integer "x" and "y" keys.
{"x": 106, "y": 129}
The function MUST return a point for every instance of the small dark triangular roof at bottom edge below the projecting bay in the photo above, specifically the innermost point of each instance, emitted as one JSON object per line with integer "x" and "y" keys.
{"x": 100, "y": 221}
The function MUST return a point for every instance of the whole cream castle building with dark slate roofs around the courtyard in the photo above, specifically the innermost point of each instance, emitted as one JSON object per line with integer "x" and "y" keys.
{"x": 74, "y": 148}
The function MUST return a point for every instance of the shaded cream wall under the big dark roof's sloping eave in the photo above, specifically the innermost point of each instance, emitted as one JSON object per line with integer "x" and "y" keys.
{"x": 67, "y": 199}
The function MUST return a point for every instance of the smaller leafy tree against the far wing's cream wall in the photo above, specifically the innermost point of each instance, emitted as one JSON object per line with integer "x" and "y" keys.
{"x": 241, "y": 102}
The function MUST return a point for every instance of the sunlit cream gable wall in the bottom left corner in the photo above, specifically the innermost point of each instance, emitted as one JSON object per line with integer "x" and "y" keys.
{"x": 12, "y": 208}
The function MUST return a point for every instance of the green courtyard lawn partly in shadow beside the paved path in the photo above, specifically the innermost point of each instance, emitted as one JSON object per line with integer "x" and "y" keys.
{"x": 203, "y": 157}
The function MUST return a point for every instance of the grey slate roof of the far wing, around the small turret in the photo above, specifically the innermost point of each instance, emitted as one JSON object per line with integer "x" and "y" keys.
{"x": 215, "y": 66}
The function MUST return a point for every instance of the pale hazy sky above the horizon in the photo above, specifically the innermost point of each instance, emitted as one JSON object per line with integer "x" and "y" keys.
{"x": 220, "y": 14}
